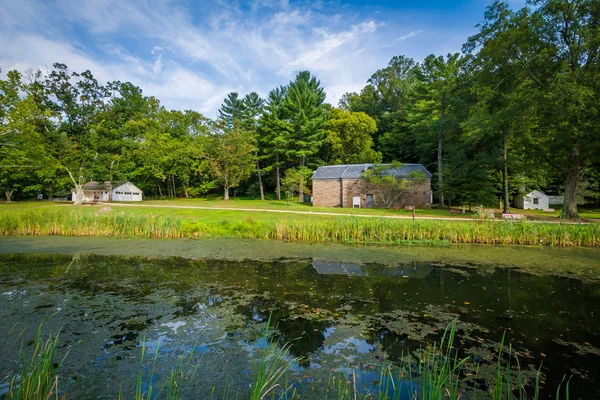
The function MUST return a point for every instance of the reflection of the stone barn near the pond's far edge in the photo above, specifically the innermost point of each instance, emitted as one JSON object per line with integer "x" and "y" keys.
{"x": 414, "y": 269}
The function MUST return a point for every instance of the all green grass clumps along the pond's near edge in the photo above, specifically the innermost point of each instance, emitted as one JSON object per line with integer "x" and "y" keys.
{"x": 432, "y": 372}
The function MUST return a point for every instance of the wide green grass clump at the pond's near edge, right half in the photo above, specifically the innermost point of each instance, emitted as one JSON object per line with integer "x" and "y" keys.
{"x": 437, "y": 373}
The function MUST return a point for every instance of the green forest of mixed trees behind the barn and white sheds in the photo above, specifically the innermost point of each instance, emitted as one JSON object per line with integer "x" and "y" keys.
{"x": 516, "y": 109}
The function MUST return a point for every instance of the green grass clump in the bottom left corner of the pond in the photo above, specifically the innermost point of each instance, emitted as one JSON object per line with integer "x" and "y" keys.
{"x": 38, "y": 377}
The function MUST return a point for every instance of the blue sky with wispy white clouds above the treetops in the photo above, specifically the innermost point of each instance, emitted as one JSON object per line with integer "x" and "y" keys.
{"x": 191, "y": 53}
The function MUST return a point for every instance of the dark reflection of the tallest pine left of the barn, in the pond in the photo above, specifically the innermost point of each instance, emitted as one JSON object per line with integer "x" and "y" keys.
{"x": 304, "y": 335}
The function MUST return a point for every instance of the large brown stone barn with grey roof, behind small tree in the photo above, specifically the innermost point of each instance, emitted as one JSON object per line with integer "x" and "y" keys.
{"x": 343, "y": 185}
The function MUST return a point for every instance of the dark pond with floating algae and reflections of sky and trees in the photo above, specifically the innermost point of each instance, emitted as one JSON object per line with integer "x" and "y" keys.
{"x": 339, "y": 317}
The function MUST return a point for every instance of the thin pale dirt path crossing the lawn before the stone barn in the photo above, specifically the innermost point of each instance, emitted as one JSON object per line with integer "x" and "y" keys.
{"x": 311, "y": 212}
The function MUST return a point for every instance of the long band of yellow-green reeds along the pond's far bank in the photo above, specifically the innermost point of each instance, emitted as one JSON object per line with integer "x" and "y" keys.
{"x": 86, "y": 222}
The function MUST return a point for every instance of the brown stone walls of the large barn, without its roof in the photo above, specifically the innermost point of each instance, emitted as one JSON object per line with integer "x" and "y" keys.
{"x": 330, "y": 193}
